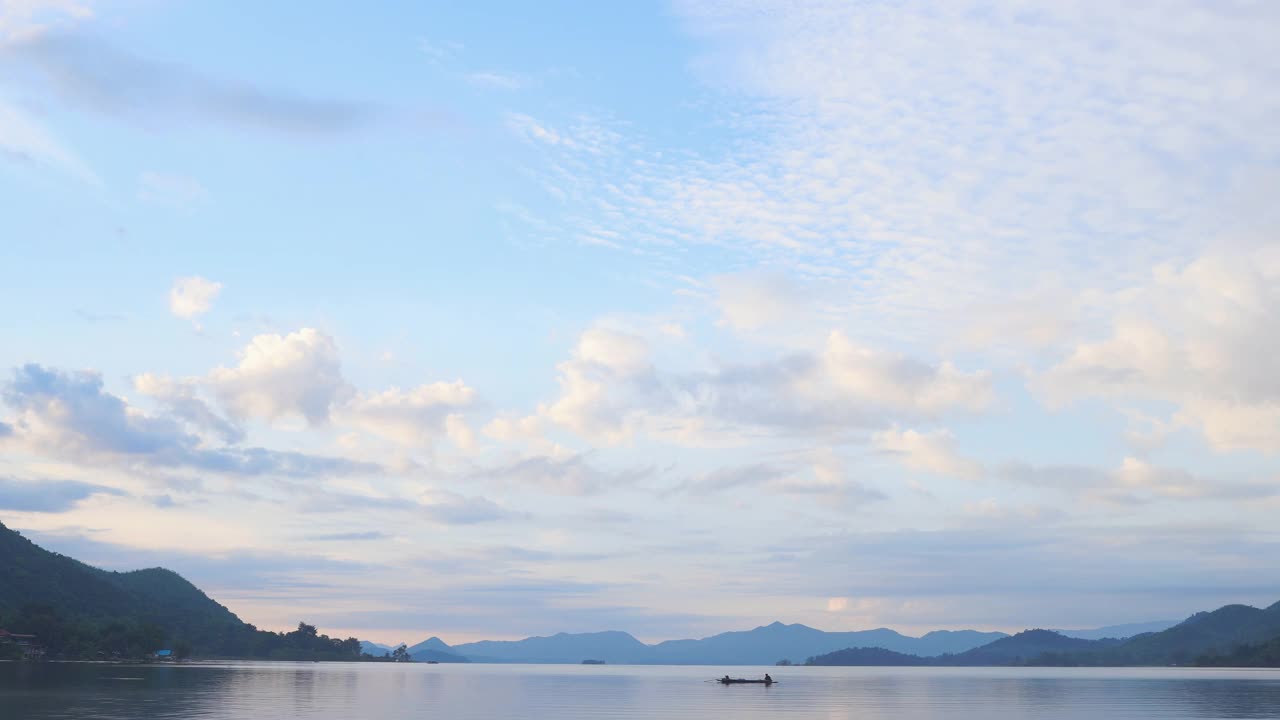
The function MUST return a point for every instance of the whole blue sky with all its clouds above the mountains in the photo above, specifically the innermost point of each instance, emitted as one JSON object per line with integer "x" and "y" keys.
{"x": 674, "y": 318}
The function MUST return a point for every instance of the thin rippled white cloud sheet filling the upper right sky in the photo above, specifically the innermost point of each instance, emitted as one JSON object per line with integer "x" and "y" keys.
{"x": 934, "y": 161}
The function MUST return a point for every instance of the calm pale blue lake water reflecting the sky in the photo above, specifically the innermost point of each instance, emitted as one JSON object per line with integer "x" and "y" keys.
{"x": 368, "y": 691}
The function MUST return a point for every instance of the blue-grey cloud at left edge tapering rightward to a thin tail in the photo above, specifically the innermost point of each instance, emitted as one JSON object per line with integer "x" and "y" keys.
{"x": 71, "y": 417}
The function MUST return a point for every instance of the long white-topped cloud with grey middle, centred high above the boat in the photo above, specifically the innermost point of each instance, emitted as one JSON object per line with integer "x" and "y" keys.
{"x": 610, "y": 390}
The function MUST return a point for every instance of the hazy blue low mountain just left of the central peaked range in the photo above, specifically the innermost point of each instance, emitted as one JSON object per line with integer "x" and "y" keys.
{"x": 614, "y": 648}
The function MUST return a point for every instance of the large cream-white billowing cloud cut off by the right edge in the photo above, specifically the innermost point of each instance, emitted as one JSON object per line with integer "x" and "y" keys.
{"x": 1199, "y": 336}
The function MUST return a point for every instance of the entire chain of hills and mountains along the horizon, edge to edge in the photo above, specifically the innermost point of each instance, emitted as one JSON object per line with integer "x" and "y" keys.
{"x": 83, "y": 612}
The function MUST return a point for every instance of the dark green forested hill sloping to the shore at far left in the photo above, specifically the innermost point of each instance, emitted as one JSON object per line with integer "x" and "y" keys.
{"x": 81, "y": 612}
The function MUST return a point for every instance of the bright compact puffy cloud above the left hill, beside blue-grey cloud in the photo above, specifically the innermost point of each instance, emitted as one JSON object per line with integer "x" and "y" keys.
{"x": 299, "y": 375}
